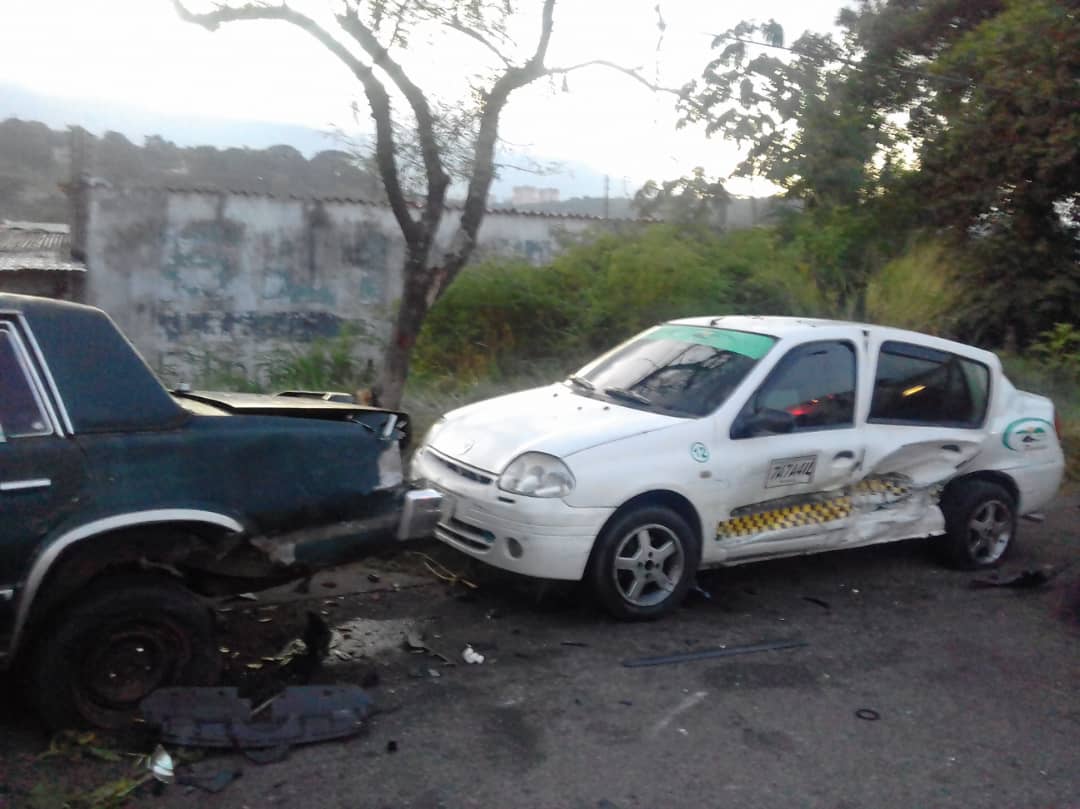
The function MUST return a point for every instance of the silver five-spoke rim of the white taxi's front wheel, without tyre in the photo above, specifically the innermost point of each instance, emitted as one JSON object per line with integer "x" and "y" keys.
{"x": 649, "y": 565}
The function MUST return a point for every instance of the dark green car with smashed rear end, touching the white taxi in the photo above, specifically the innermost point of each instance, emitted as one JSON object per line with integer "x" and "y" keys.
{"x": 124, "y": 506}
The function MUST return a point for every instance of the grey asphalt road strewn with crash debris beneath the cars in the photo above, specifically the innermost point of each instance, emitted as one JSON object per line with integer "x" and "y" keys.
{"x": 978, "y": 693}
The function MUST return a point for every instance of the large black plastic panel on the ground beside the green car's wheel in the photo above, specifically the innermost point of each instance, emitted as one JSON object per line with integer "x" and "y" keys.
{"x": 218, "y": 718}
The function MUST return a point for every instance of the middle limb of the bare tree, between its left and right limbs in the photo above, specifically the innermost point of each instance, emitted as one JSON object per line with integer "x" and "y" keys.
{"x": 438, "y": 179}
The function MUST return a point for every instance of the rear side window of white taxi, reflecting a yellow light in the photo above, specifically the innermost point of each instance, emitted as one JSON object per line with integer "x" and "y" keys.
{"x": 915, "y": 385}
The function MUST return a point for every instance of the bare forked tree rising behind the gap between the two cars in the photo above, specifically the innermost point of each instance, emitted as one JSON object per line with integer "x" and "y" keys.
{"x": 370, "y": 34}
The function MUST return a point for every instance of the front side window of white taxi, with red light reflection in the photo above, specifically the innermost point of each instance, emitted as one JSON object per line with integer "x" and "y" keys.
{"x": 813, "y": 388}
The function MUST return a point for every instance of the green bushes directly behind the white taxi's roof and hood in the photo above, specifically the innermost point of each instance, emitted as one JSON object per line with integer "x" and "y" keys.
{"x": 502, "y": 318}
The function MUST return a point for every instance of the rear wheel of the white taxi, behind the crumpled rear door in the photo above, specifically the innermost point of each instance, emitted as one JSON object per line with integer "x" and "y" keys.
{"x": 980, "y": 523}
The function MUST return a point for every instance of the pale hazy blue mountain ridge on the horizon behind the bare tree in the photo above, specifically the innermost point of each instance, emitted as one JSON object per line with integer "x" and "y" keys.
{"x": 572, "y": 179}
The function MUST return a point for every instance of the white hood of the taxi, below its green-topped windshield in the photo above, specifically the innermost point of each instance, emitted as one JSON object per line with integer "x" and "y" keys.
{"x": 490, "y": 435}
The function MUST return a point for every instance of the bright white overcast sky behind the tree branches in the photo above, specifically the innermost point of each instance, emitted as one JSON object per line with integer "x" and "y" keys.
{"x": 139, "y": 52}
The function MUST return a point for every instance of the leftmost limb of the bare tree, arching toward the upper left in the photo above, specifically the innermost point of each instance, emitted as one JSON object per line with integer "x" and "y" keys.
{"x": 377, "y": 97}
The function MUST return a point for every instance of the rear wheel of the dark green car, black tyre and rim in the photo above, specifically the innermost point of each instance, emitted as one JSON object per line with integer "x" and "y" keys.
{"x": 124, "y": 640}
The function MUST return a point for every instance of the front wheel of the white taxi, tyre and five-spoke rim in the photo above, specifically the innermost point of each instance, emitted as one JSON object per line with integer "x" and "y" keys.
{"x": 644, "y": 563}
